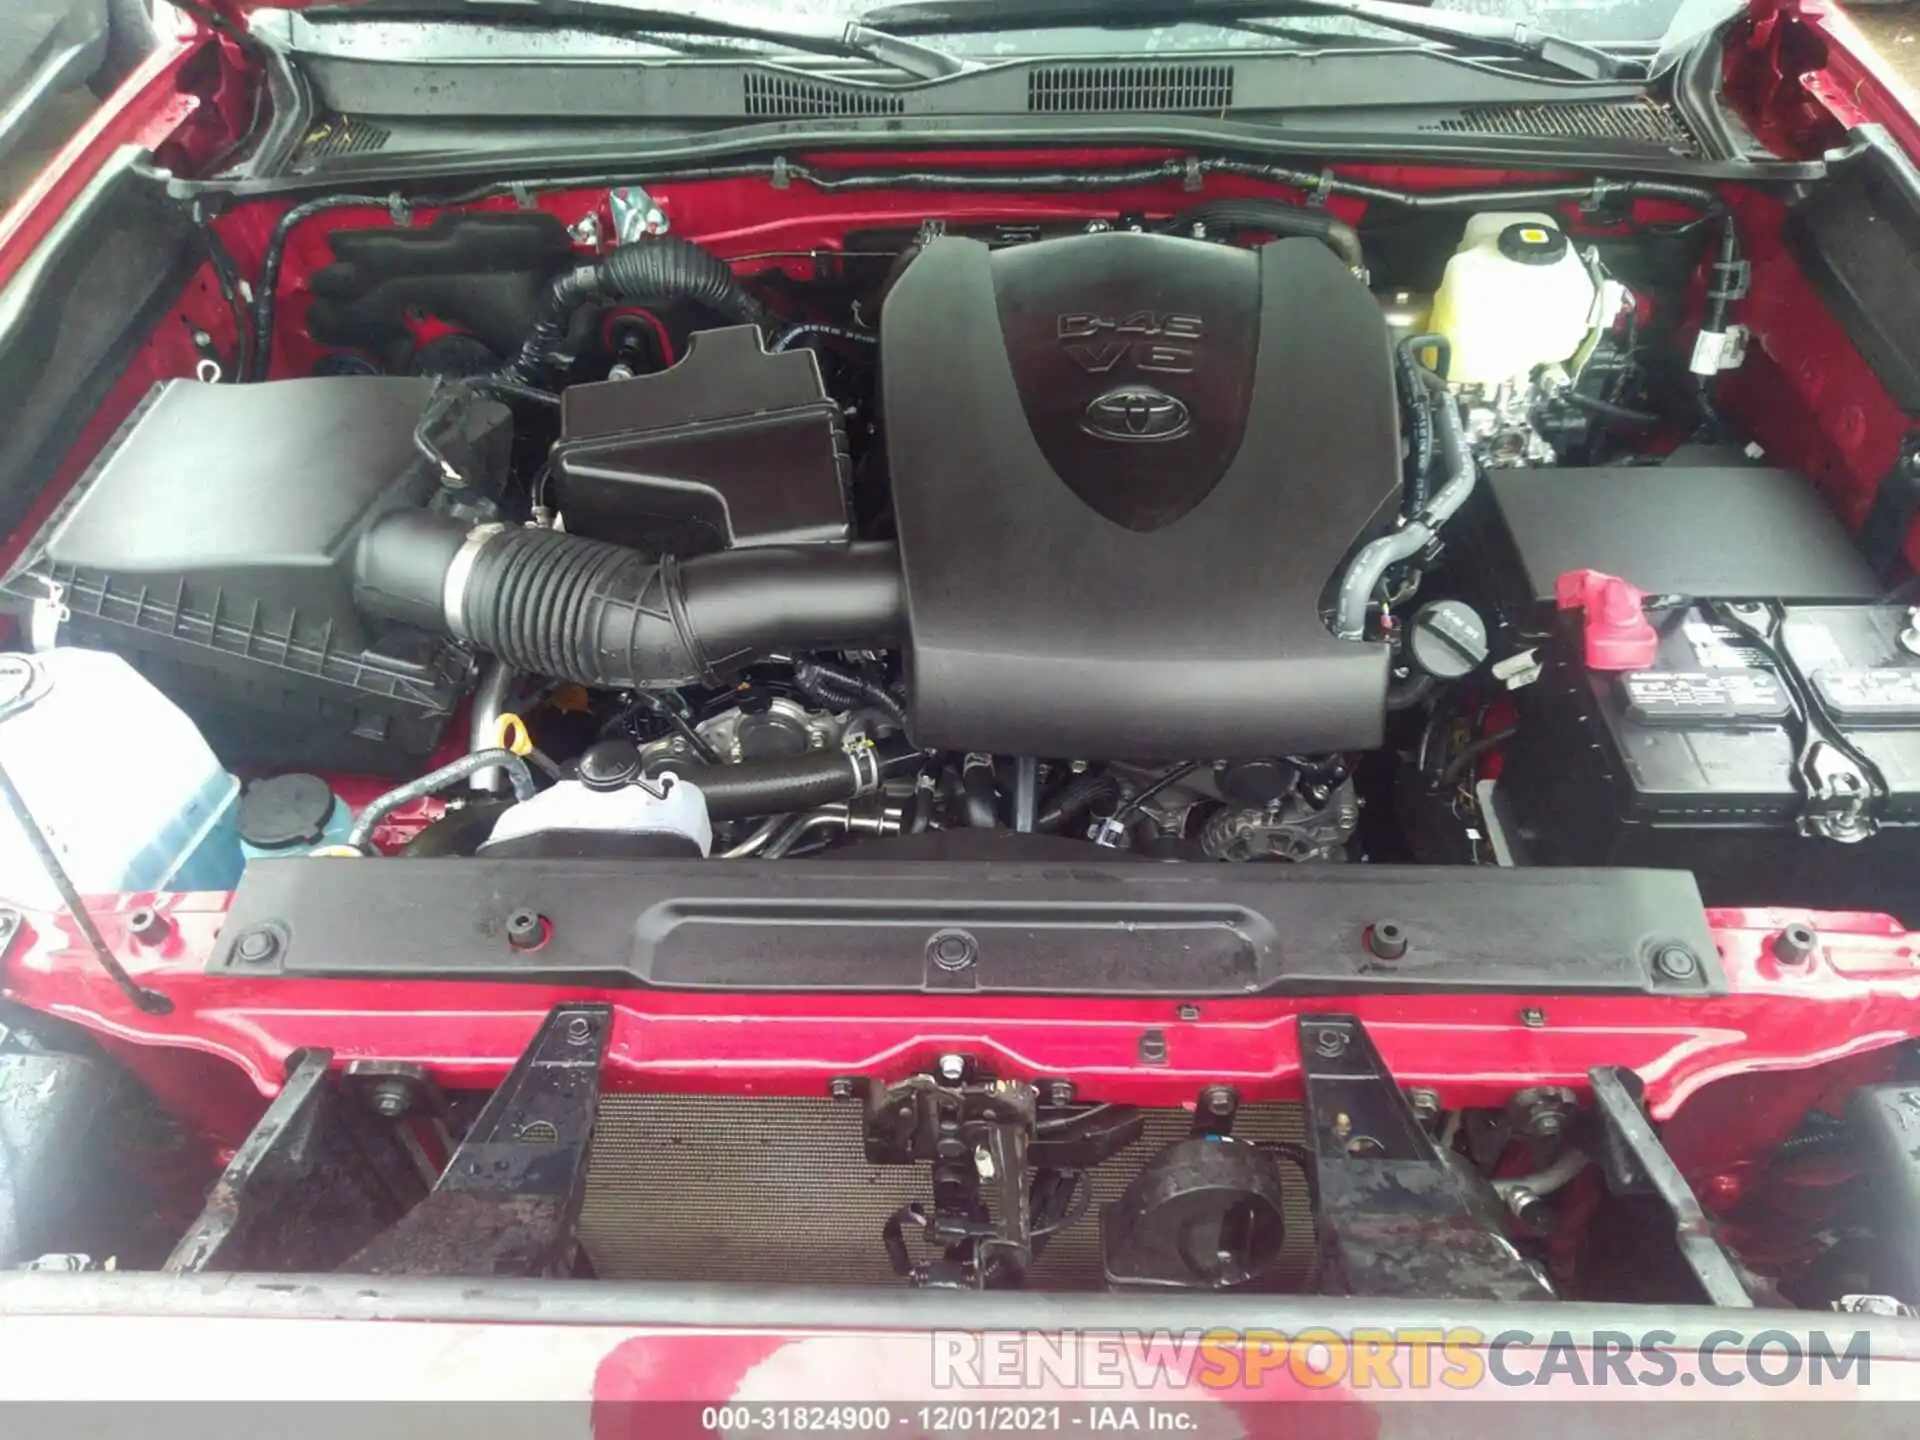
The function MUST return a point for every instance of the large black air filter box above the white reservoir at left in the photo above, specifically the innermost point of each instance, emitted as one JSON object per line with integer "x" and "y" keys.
{"x": 212, "y": 544}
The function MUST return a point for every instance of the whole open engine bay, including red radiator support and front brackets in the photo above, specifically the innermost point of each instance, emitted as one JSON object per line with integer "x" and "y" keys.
{"x": 1020, "y": 717}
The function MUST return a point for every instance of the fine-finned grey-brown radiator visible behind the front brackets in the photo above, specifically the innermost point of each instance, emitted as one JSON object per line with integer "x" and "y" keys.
{"x": 717, "y": 1188}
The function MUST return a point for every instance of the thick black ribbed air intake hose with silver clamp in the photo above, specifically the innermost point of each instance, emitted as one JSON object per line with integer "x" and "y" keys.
{"x": 604, "y": 615}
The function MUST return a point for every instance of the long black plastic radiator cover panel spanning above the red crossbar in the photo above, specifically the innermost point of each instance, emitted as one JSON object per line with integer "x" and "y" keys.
{"x": 1097, "y": 928}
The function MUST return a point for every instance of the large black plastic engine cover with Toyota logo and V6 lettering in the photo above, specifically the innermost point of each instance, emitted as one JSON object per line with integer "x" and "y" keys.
{"x": 1126, "y": 469}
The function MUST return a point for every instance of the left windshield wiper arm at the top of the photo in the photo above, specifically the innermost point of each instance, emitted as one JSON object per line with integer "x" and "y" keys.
{"x": 852, "y": 41}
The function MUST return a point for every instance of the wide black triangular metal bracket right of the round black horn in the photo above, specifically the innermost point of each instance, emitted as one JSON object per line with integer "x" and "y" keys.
{"x": 1397, "y": 1216}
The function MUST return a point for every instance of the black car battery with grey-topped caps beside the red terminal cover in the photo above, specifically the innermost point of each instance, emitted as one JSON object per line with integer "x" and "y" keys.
{"x": 1781, "y": 763}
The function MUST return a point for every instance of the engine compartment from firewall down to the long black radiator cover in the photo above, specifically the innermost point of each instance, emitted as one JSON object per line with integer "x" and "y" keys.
{"x": 1216, "y": 529}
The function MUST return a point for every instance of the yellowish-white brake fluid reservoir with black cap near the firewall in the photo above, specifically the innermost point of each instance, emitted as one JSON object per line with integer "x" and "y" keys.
{"x": 1516, "y": 297}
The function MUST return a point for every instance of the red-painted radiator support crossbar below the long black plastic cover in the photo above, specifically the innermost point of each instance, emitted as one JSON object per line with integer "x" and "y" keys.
{"x": 1731, "y": 1076}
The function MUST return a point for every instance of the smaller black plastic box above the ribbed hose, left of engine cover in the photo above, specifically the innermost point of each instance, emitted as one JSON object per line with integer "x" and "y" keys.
{"x": 725, "y": 450}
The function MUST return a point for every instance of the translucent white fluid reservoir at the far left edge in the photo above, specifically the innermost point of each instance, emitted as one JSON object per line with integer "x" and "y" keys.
{"x": 118, "y": 780}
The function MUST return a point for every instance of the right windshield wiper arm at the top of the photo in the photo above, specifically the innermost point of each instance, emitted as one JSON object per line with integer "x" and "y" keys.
{"x": 1495, "y": 36}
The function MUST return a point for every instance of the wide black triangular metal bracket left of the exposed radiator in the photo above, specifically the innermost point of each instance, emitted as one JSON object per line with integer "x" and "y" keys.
{"x": 512, "y": 1193}
